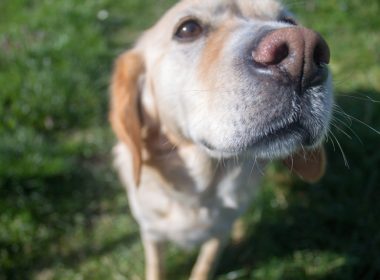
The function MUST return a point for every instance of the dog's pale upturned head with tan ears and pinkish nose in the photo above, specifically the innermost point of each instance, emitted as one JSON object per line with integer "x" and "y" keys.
{"x": 230, "y": 76}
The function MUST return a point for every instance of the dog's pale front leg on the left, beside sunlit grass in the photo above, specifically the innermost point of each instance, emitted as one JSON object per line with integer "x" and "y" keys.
{"x": 154, "y": 259}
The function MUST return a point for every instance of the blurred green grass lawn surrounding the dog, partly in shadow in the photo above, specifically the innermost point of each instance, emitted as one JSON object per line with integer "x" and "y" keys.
{"x": 63, "y": 213}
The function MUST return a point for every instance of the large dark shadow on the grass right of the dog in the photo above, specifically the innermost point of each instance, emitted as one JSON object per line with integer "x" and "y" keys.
{"x": 338, "y": 216}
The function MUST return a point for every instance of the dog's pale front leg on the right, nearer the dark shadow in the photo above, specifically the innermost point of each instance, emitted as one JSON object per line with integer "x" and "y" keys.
{"x": 207, "y": 259}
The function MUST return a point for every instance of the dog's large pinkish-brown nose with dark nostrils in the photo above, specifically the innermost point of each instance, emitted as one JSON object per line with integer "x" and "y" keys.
{"x": 298, "y": 51}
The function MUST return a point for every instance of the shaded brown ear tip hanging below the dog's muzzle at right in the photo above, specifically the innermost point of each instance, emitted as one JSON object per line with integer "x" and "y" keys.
{"x": 310, "y": 165}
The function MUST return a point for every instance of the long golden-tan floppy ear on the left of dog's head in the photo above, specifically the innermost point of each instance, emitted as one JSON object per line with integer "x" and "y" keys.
{"x": 124, "y": 113}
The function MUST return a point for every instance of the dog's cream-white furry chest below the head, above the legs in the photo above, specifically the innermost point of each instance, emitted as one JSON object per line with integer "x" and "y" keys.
{"x": 188, "y": 207}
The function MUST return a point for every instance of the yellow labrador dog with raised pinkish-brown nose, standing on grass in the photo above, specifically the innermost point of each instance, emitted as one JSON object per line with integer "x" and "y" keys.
{"x": 204, "y": 100}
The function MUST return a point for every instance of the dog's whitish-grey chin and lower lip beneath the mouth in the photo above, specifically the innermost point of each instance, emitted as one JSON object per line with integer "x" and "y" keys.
{"x": 276, "y": 144}
